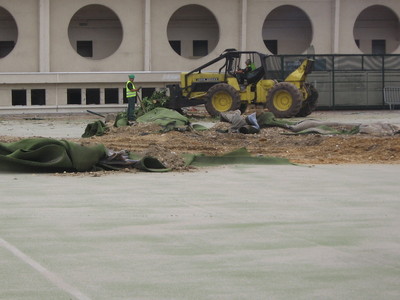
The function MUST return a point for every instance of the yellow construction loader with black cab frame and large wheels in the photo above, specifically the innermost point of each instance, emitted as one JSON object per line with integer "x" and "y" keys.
{"x": 231, "y": 87}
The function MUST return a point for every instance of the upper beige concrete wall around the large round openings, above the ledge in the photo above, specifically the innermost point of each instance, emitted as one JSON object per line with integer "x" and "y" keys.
{"x": 234, "y": 30}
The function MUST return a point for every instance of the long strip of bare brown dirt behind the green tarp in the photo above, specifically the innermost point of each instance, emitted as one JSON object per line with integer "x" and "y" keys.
{"x": 304, "y": 149}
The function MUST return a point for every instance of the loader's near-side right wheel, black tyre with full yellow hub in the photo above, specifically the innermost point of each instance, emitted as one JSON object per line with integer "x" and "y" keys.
{"x": 284, "y": 100}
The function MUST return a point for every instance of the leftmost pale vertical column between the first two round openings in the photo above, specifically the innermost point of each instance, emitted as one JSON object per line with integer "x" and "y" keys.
{"x": 44, "y": 41}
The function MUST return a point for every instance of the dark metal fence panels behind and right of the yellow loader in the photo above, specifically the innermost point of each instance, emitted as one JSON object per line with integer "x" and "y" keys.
{"x": 345, "y": 81}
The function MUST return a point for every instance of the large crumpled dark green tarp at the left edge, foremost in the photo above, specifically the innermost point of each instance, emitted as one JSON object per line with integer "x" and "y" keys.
{"x": 50, "y": 155}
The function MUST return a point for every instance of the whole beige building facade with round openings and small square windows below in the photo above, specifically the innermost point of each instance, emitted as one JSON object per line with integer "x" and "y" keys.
{"x": 59, "y": 55}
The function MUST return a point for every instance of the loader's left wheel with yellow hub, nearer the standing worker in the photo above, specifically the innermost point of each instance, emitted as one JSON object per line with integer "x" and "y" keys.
{"x": 221, "y": 98}
